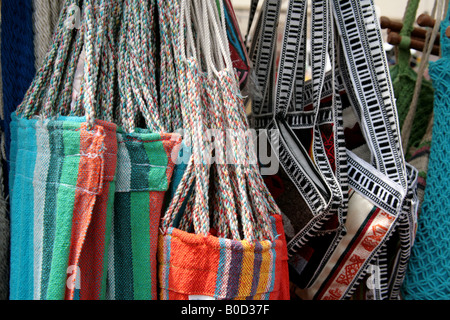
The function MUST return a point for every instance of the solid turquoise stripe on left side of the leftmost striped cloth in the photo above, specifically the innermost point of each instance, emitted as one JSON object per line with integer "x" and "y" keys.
{"x": 23, "y": 161}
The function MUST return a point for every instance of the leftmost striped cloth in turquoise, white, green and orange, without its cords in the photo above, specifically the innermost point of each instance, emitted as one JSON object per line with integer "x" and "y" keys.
{"x": 59, "y": 177}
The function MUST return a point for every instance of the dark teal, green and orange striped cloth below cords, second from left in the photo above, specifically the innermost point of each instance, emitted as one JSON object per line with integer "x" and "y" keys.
{"x": 145, "y": 165}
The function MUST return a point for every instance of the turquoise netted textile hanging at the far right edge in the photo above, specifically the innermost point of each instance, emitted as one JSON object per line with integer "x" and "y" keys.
{"x": 428, "y": 275}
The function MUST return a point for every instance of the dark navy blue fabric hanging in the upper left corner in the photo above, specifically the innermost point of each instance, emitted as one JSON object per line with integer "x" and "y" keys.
{"x": 17, "y": 59}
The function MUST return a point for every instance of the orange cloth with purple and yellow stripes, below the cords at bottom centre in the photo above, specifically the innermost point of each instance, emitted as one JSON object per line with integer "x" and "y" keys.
{"x": 223, "y": 269}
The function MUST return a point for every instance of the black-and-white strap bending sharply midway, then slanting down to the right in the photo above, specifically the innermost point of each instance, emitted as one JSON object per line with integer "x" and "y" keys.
{"x": 302, "y": 171}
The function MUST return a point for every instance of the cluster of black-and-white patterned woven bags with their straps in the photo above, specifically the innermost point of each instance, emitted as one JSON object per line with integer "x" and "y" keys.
{"x": 340, "y": 150}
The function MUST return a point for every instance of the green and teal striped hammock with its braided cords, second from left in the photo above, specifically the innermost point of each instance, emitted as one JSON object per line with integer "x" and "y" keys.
{"x": 145, "y": 158}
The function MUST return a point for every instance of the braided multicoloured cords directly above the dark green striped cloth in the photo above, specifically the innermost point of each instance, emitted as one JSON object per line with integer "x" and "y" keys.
{"x": 137, "y": 67}
